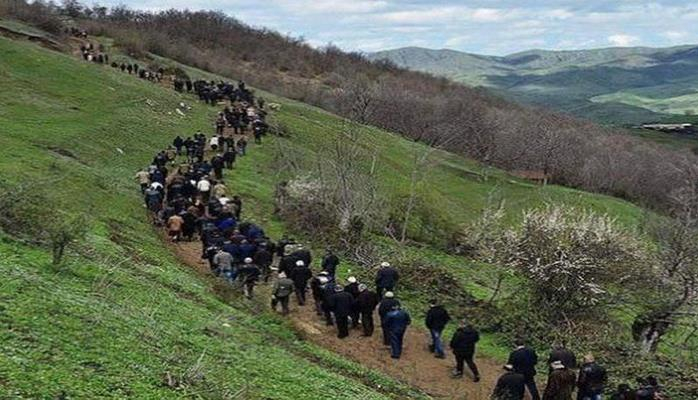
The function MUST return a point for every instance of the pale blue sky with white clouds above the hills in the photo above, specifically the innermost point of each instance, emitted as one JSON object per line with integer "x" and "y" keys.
{"x": 481, "y": 26}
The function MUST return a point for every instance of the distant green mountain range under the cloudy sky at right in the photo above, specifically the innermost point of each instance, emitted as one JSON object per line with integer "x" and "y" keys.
{"x": 622, "y": 85}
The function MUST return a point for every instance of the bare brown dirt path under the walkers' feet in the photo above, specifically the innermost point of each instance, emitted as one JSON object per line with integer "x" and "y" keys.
{"x": 417, "y": 367}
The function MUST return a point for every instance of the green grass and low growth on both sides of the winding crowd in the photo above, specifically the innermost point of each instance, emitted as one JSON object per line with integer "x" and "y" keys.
{"x": 87, "y": 128}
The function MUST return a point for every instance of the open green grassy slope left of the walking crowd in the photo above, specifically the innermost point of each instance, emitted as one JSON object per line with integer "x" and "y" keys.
{"x": 123, "y": 314}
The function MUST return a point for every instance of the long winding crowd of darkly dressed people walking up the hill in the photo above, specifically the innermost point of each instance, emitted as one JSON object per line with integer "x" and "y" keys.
{"x": 185, "y": 191}
